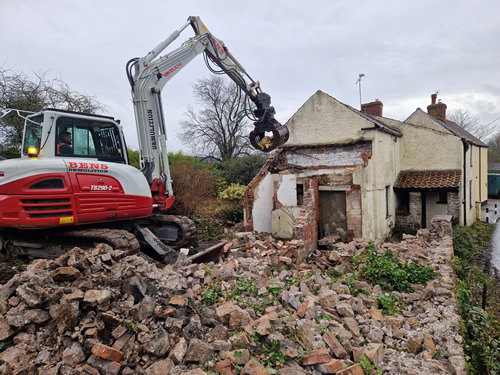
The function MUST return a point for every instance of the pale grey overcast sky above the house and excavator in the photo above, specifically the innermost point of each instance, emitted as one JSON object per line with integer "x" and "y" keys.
{"x": 406, "y": 49}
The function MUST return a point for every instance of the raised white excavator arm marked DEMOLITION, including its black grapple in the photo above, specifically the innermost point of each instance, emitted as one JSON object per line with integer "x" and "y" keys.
{"x": 149, "y": 74}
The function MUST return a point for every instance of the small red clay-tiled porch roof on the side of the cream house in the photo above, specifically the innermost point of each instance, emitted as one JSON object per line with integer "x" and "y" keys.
{"x": 426, "y": 180}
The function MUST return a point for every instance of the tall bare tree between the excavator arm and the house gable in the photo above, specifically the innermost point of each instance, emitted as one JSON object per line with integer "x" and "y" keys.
{"x": 216, "y": 130}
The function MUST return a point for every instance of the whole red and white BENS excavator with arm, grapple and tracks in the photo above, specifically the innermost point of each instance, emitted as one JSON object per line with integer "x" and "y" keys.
{"x": 73, "y": 185}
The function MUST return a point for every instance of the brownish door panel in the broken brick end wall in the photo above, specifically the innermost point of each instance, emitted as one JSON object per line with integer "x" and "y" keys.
{"x": 333, "y": 214}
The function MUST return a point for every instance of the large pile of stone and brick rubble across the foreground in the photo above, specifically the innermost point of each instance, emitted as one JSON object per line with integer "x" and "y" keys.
{"x": 254, "y": 312}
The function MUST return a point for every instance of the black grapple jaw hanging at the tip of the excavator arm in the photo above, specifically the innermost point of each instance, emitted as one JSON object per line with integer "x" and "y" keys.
{"x": 267, "y": 123}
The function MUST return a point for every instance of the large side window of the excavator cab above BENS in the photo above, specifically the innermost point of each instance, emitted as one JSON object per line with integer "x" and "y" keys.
{"x": 89, "y": 138}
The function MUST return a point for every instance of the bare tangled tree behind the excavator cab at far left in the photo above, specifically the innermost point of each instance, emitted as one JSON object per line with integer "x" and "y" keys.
{"x": 19, "y": 91}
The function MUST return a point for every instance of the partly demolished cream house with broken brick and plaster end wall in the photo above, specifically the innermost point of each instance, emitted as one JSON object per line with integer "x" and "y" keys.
{"x": 346, "y": 174}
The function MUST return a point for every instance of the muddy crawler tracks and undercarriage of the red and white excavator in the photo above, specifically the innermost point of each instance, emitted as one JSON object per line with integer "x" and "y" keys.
{"x": 156, "y": 236}
